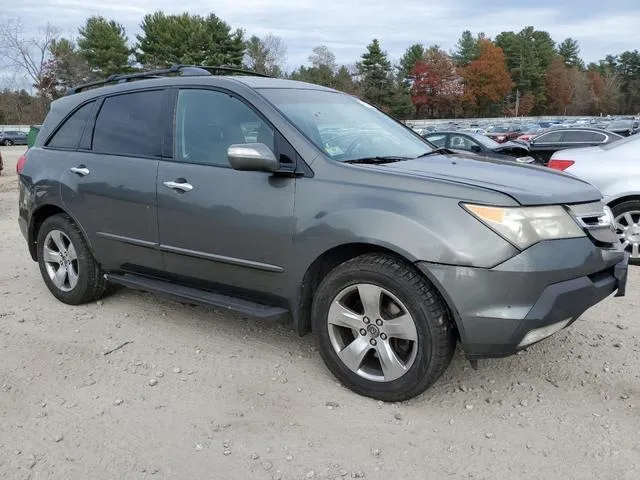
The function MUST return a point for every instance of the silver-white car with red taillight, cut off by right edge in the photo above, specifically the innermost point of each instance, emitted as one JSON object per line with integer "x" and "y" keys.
{"x": 614, "y": 168}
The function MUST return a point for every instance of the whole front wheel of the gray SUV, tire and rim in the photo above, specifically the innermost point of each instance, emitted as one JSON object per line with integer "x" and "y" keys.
{"x": 416, "y": 364}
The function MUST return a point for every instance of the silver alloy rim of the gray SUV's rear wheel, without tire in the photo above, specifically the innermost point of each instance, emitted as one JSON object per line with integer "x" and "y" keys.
{"x": 61, "y": 260}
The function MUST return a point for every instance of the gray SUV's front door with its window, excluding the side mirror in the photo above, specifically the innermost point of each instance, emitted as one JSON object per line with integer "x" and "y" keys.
{"x": 219, "y": 226}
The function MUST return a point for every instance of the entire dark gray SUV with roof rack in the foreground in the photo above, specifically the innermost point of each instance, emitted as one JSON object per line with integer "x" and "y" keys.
{"x": 279, "y": 198}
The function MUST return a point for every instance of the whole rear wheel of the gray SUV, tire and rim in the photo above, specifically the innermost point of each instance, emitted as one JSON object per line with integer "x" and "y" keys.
{"x": 78, "y": 279}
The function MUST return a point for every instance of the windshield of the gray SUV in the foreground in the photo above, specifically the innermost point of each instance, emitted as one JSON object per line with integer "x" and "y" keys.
{"x": 344, "y": 127}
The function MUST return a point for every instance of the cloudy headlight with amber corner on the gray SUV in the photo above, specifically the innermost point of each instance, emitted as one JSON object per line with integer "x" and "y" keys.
{"x": 524, "y": 226}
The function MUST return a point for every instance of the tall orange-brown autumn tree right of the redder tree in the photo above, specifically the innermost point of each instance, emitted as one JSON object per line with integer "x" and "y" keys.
{"x": 486, "y": 80}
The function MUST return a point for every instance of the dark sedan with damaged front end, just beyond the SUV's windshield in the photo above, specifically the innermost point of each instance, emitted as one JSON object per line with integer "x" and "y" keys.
{"x": 481, "y": 145}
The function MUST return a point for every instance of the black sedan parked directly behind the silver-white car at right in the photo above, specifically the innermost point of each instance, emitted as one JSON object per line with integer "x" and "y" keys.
{"x": 545, "y": 145}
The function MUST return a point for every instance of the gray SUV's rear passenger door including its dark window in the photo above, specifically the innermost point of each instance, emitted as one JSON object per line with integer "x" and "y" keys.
{"x": 109, "y": 183}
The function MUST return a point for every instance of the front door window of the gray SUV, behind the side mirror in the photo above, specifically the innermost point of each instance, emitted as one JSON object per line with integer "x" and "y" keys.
{"x": 208, "y": 122}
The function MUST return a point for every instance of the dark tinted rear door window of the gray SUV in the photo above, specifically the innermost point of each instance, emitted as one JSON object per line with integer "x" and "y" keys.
{"x": 131, "y": 124}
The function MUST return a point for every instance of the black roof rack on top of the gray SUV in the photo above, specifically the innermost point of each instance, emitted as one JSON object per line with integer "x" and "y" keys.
{"x": 183, "y": 70}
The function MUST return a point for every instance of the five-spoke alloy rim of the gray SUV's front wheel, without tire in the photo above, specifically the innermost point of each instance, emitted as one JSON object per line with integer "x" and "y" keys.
{"x": 372, "y": 332}
